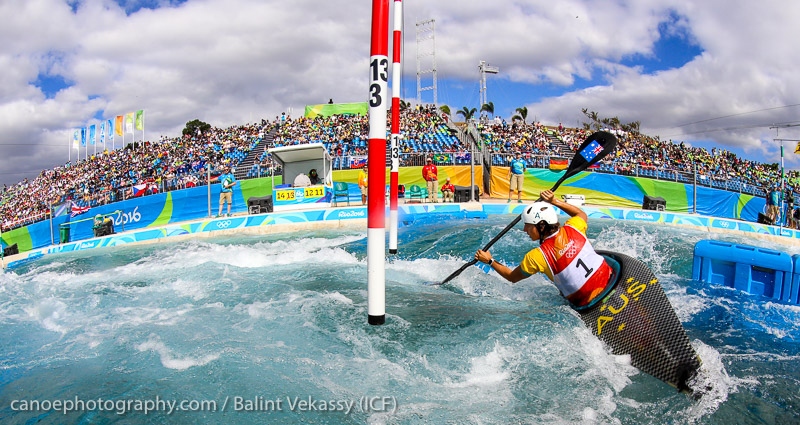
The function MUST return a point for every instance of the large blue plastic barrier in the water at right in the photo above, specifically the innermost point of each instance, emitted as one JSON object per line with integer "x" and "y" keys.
{"x": 757, "y": 271}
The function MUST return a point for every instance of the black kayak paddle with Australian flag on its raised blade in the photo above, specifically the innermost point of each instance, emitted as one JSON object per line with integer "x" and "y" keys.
{"x": 593, "y": 149}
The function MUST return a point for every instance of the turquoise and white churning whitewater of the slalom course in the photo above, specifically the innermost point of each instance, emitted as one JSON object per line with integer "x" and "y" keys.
{"x": 273, "y": 329}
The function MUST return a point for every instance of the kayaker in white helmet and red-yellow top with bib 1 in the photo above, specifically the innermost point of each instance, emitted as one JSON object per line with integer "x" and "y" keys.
{"x": 564, "y": 254}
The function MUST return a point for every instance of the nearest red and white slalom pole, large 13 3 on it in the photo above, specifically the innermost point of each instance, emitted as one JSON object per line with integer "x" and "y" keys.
{"x": 376, "y": 156}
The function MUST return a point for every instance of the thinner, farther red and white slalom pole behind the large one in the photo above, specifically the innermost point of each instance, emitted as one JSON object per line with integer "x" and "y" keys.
{"x": 397, "y": 39}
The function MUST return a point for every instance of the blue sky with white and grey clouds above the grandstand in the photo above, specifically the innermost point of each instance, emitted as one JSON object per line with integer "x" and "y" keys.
{"x": 705, "y": 73}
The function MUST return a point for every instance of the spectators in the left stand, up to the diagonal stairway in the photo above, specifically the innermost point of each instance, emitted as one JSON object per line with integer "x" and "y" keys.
{"x": 139, "y": 169}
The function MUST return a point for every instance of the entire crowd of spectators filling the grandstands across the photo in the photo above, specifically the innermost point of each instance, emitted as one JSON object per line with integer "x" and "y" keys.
{"x": 179, "y": 162}
